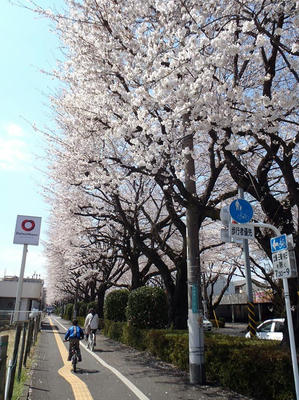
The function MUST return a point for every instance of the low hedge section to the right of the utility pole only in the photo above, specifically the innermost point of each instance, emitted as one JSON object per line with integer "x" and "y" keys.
{"x": 255, "y": 368}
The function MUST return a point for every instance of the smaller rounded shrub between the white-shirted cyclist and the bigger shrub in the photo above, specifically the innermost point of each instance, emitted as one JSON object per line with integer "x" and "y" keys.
{"x": 115, "y": 305}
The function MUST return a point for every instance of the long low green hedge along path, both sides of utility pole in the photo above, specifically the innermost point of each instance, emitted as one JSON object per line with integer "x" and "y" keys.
{"x": 256, "y": 368}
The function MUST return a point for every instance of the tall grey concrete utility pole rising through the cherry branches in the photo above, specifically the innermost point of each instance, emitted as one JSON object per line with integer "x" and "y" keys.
{"x": 195, "y": 309}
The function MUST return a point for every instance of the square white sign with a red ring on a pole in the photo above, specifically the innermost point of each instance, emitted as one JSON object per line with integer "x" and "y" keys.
{"x": 27, "y": 230}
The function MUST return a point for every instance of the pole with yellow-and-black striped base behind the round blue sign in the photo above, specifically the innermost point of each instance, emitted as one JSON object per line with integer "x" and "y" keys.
{"x": 250, "y": 304}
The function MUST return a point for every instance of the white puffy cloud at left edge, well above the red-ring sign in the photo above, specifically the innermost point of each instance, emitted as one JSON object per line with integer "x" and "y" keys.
{"x": 14, "y": 152}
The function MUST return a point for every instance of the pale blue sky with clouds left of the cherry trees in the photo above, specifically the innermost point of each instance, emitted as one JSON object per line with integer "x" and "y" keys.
{"x": 27, "y": 45}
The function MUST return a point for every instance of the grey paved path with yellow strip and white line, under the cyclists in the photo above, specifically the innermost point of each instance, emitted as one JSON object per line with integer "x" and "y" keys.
{"x": 113, "y": 372}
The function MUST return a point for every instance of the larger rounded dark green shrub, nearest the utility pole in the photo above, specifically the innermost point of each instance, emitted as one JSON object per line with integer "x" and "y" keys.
{"x": 147, "y": 308}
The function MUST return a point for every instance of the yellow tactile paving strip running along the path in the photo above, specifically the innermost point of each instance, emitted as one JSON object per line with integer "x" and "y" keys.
{"x": 79, "y": 388}
